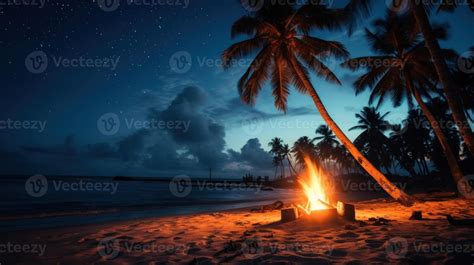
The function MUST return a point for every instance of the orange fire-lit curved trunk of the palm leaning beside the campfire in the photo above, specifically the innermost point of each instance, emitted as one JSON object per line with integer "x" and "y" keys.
{"x": 388, "y": 186}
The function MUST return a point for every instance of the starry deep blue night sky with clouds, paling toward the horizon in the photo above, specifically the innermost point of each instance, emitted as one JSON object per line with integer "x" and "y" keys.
{"x": 200, "y": 122}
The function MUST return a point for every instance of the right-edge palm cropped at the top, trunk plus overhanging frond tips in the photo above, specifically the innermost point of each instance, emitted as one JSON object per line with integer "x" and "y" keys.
{"x": 352, "y": 14}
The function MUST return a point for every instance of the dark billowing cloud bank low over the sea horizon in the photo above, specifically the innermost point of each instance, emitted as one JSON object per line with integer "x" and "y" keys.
{"x": 193, "y": 148}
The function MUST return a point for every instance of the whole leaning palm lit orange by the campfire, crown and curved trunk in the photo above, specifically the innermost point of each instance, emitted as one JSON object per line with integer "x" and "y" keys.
{"x": 285, "y": 53}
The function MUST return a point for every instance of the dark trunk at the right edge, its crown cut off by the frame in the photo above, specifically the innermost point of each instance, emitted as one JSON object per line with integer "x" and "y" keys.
{"x": 445, "y": 77}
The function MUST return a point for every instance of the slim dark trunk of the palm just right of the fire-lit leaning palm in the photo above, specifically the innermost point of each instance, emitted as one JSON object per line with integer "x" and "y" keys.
{"x": 452, "y": 161}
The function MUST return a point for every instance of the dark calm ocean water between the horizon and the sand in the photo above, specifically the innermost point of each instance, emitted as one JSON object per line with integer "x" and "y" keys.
{"x": 47, "y": 202}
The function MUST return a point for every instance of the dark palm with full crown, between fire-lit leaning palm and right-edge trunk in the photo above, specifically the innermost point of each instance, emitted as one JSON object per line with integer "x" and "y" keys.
{"x": 403, "y": 71}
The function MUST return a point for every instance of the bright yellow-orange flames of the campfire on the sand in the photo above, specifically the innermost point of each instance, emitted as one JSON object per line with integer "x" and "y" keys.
{"x": 314, "y": 188}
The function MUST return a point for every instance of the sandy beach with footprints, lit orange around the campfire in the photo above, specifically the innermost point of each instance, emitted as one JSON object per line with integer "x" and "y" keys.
{"x": 382, "y": 234}
